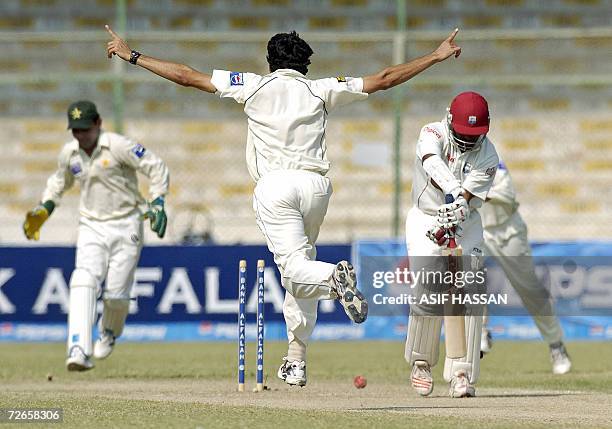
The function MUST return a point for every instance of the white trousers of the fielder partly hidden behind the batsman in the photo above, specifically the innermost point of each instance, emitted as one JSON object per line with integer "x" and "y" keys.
{"x": 514, "y": 257}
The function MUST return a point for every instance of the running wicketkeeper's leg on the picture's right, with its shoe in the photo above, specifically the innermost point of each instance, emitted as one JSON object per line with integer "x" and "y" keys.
{"x": 125, "y": 237}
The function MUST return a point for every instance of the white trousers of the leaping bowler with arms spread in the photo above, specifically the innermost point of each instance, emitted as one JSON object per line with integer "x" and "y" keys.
{"x": 290, "y": 206}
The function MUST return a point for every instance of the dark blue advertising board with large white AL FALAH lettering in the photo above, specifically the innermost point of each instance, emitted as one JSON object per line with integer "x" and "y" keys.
{"x": 178, "y": 292}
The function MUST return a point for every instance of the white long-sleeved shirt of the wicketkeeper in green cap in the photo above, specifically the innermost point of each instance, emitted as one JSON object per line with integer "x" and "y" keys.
{"x": 108, "y": 180}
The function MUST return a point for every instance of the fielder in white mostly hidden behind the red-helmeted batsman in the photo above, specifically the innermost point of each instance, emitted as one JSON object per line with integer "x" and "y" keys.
{"x": 506, "y": 241}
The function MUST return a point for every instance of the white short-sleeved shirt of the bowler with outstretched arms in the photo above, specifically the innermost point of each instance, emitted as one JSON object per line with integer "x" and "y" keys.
{"x": 287, "y": 115}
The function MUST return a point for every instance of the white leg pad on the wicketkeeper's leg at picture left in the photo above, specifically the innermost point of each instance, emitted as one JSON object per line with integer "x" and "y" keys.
{"x": 83, "y": 291}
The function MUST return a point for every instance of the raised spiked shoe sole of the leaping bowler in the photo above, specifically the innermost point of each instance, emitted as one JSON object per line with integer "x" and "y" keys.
{"x": 345, "y": 287}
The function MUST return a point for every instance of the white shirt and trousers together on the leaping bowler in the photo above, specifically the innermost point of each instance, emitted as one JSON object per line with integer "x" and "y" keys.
{"x": 286, "y": 155}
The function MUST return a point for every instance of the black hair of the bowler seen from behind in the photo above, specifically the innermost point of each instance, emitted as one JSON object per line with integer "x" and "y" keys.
{"x": 288, "y": 51}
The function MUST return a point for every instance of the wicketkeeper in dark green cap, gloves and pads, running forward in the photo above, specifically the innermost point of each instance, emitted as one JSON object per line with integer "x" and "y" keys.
{"x": 110, "y": 232}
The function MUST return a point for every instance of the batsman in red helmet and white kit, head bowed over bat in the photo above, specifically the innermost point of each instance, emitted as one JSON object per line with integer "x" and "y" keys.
{"x": 455, "y": 161}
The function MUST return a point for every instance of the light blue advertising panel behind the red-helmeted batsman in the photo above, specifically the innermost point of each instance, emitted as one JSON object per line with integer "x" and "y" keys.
{"x": 578, "y": 276}
